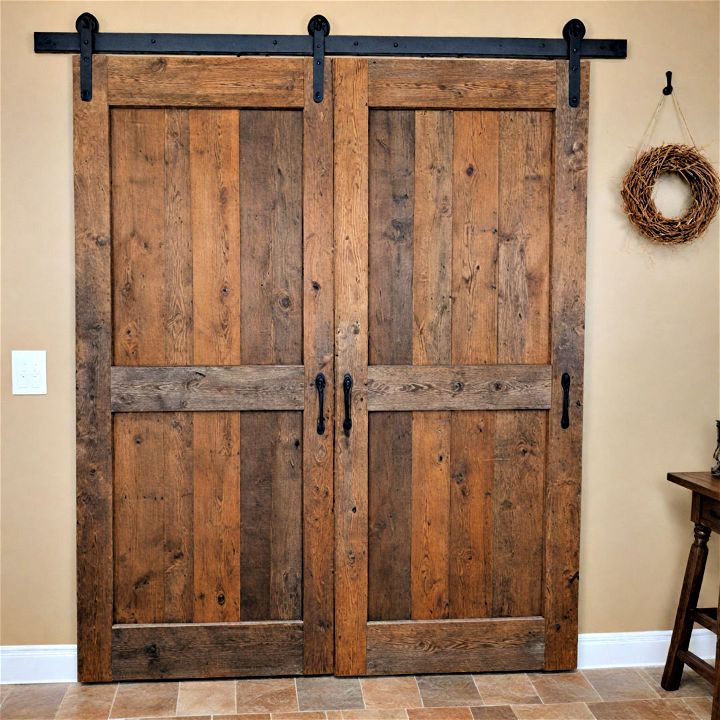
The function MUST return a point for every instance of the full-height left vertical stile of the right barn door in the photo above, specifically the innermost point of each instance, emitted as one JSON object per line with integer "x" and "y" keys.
{"x": 351, "y": 321}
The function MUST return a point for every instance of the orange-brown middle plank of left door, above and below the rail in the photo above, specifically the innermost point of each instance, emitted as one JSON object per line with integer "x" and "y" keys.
{"x": 215, "y": 212}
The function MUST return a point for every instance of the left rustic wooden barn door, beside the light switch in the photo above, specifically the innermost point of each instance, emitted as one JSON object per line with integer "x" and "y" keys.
{"x": 204, "y": 315}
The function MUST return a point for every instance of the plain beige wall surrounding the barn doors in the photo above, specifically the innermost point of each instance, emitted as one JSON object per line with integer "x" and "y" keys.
{"x": 652, "y": 320}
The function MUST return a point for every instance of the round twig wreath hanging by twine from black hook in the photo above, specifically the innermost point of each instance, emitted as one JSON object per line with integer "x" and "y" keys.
{"x": 683, "y": 160}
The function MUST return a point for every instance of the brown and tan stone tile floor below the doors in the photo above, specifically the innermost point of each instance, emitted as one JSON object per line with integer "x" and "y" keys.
{"x": 618, "y": 694}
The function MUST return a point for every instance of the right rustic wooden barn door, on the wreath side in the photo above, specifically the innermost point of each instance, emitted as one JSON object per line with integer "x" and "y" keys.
{"x": 460, "y": 324}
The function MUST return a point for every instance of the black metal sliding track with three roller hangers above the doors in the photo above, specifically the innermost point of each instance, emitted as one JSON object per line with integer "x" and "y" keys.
{"x": 87, "y": 40}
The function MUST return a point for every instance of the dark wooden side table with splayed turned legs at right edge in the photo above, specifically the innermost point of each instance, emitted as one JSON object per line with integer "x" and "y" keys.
{"x": 706, "y": 516}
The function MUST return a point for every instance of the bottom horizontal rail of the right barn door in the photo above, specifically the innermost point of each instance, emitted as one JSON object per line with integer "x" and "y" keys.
{"x": 436, "y": 646}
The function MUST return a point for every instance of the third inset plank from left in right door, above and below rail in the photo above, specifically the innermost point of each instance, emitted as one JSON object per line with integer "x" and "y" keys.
{"x": 474, "y": 341}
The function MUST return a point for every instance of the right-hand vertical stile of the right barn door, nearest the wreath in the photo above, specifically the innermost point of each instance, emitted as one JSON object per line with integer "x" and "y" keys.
{"x": 564, "y": 471}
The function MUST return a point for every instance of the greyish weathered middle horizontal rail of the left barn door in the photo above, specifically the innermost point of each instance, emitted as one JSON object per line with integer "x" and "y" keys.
{"x": 202, "y": 387}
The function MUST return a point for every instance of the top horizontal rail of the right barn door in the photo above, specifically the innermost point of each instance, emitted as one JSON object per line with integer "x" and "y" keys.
{"x": 461, "y": 83}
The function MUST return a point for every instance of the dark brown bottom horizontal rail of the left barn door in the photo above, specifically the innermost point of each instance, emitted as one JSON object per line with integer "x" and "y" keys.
{"x": 174, "y": 651}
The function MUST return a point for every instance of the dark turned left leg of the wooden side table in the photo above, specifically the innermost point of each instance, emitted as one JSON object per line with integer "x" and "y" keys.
{"x": 688, "y": 602}
